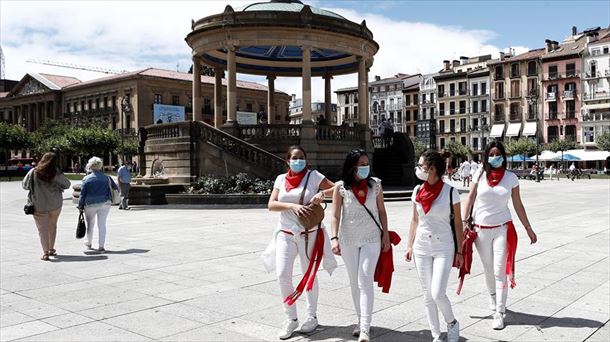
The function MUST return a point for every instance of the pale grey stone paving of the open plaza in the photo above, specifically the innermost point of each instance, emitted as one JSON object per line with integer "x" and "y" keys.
{"x": 176, "y": 273}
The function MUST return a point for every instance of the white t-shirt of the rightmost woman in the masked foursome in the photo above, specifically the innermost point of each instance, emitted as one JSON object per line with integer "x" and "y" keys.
{"x": 491, "y": 204}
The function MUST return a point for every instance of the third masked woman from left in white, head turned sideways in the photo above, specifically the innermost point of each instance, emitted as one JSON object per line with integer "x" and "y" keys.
{"x": 432, "y": 243}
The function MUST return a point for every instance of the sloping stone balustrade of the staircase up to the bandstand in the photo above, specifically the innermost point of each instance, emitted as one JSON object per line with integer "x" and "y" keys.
{"x": 252, "y": 154}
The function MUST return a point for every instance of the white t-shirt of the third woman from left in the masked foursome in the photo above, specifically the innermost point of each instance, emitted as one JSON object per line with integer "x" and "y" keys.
{"x": 434, "y": 228}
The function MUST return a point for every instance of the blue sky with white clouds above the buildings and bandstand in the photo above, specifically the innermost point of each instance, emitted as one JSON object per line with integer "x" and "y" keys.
{"x": 414, "y": 36}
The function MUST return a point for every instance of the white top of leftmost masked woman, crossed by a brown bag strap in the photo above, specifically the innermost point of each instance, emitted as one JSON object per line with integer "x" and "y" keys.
{"x": 288, "y": 219}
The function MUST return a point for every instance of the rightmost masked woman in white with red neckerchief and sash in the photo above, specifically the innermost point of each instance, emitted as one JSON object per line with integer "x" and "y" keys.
{"x": 496, "y": 240}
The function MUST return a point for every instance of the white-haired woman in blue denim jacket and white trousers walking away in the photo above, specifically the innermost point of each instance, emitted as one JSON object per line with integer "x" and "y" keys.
{"x": 96, "y": 199}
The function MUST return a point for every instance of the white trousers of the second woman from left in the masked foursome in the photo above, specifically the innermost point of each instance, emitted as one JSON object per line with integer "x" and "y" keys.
{"x": 360, "y": 262}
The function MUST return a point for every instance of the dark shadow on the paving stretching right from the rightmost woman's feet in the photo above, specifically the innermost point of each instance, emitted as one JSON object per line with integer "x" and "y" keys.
{"x": 543, "y": 322}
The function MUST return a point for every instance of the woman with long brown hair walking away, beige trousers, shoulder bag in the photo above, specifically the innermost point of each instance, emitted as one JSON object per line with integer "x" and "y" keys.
{"x": 46, "y": 183}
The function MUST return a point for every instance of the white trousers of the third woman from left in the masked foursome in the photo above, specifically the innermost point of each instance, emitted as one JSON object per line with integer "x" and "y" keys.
{"x": 433, "y": 270}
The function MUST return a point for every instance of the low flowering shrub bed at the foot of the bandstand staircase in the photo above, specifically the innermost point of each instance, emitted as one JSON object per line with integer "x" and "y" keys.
{"x": 238, "y": 184}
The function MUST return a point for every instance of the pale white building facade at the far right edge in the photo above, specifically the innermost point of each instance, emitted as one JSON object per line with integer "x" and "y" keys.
{"x": 595, "y": 87}
